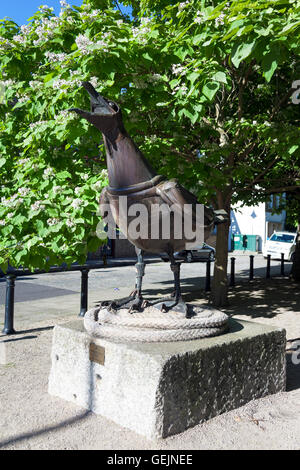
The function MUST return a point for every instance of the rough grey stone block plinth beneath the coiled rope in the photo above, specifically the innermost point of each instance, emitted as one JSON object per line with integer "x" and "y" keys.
{"x": 160, "y": 389}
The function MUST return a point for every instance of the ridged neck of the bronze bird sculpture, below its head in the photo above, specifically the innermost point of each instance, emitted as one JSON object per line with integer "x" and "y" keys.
{"x": 125, "y": 163}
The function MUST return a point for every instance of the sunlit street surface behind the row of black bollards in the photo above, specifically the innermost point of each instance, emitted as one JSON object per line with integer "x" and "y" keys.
{"x": 57, "y": 295}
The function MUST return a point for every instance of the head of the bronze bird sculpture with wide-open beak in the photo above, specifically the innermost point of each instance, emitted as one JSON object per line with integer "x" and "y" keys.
{"x": 105, "y": 115}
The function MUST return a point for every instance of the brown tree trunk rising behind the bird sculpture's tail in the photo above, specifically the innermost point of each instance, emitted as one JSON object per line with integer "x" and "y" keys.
{"x": 220, "y": 282}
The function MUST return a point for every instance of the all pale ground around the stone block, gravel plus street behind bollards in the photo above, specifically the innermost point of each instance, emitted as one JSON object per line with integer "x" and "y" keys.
{"x": 32, "y": 419}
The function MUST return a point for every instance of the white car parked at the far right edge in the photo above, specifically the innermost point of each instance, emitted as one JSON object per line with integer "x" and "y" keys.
{"x": 281, "y": 242}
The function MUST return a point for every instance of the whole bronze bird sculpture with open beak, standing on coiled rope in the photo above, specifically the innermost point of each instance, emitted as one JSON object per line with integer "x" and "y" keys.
{"x": 131, "y": 175}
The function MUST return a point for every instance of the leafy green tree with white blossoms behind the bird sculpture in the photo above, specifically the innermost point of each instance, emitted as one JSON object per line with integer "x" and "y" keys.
{"x": 210, "y": 80}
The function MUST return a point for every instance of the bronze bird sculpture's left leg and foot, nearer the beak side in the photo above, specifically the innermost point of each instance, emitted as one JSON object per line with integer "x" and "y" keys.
{"x": 134, "y": 301}
